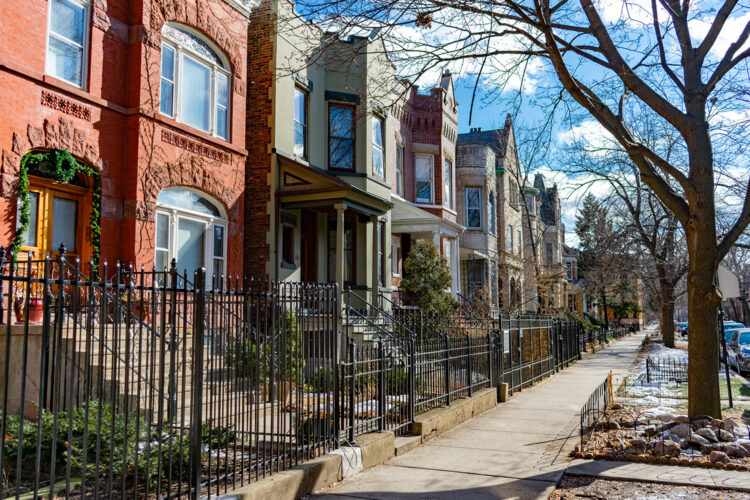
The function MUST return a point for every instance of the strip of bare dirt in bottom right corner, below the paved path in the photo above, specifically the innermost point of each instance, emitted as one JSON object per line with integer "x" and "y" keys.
{"x": 576, "y": 487}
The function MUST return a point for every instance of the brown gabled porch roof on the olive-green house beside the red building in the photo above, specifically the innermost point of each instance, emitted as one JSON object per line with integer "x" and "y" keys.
{"x": 302, "y": 185}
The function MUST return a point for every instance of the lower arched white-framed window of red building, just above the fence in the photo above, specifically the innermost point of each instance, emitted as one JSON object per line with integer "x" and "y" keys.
{"x": 191, "y": 228}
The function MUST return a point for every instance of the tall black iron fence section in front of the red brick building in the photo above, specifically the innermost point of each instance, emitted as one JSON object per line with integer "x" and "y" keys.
{"x": 159, "y": 384}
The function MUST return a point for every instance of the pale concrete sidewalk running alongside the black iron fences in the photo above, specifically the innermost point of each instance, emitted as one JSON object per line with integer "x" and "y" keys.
{"x": 519, "y": 449}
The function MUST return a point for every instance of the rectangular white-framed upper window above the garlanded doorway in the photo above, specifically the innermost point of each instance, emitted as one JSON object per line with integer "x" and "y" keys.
{"x": 67, "y": 40}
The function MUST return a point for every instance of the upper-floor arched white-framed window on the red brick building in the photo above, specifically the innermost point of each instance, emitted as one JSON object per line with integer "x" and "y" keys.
{"x": 194, "y": 81}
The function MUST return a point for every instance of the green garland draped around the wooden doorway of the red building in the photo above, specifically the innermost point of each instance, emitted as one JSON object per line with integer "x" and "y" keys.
{"x": 61, "y": 166}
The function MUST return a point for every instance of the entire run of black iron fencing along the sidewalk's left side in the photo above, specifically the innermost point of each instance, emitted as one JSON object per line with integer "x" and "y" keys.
{"x": 145, "y": 384}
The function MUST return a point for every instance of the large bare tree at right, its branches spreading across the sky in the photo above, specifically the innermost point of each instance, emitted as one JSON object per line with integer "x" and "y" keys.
{"x": 663, "y": 60}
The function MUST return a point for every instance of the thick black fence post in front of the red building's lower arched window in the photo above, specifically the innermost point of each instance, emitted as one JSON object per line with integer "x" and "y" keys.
{"x": 197, "y": 380}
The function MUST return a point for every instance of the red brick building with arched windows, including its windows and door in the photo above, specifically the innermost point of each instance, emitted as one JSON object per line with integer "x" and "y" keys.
{"x": 152, "y": 95}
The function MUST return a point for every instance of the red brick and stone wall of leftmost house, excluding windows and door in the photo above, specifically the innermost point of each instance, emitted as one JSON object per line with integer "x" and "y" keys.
{"x": 113, "y": 124}
